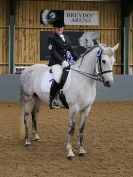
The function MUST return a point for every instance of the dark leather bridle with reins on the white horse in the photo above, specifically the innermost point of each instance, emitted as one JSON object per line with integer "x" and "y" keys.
{"x": 99, "y": 76}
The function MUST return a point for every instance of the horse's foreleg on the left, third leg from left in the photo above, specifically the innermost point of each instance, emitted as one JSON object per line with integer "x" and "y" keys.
{"x": 72, "y": 122}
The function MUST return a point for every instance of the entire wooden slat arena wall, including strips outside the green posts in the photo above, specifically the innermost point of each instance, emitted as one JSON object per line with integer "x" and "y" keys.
{"x": 28, "y": 27}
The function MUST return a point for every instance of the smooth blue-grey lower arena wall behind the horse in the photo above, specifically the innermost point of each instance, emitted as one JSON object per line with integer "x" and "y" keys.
{"x": 121, "y": 90}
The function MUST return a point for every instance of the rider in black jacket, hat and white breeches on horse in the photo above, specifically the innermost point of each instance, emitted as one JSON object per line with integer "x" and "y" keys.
{"x": 58, "y": 45}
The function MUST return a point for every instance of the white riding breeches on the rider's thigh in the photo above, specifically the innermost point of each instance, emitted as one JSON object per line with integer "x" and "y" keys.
{"x": 57, "y": 72}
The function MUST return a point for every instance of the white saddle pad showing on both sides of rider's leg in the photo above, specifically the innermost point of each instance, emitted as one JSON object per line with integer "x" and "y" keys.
{"x": 47, "y": 81}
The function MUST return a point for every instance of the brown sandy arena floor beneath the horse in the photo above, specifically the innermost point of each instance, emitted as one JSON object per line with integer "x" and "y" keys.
{"x": 108, "y": 142}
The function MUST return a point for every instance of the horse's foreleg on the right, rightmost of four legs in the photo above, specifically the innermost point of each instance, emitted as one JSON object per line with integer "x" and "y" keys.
{"x": 83, "y": 117}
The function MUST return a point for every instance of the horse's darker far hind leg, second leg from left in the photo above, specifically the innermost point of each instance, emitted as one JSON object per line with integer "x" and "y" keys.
{"x": 34, "y": 113}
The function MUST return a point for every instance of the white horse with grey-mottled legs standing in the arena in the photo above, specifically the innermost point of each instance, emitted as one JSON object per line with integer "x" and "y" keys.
{"x": 79, "y": 90}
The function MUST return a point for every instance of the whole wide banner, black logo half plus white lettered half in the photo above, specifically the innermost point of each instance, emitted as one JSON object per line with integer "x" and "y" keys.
{"x": 70, "y": 17}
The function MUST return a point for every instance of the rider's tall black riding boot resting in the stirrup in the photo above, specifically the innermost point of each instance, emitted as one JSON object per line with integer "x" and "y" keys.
{"x": 53, "y": 90}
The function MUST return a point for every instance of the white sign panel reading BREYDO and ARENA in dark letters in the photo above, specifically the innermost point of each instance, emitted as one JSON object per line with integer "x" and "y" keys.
{"x": 80, "y": 17}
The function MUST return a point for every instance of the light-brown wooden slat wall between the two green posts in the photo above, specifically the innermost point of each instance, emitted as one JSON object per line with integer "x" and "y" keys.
{"x": 28, "y": 27}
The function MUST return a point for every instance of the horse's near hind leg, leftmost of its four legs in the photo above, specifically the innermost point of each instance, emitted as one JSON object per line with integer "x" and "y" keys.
{"x": 27, "y": 102}
